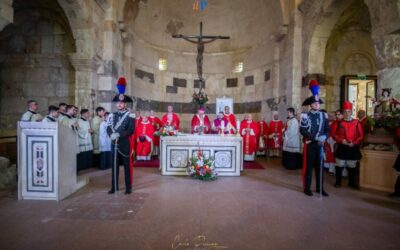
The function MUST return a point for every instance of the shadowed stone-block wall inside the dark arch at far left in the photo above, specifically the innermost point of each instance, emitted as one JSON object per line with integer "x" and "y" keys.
{"x": 34, "y": 60}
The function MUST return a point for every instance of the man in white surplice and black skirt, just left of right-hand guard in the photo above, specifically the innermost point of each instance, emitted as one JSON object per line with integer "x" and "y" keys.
{"x": 291, "y": 156}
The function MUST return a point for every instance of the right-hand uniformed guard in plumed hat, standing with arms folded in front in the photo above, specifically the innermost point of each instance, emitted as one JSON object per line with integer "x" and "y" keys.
{"x": 315, "y": 130}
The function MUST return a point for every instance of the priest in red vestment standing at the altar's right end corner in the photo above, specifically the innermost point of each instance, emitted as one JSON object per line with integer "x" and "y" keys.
{"x": 249, "y": 132}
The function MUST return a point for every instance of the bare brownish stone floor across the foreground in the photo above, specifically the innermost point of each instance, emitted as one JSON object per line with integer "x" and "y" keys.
{"x": 262, "y": 209}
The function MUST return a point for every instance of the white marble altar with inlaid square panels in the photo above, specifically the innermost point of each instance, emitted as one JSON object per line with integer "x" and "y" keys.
{"x": 176, "y": 151}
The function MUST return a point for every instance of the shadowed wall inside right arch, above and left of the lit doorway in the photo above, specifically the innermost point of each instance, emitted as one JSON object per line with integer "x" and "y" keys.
{"x": 349, "y": 50}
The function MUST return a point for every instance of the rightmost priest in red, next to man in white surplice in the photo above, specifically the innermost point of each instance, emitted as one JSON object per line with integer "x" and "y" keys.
{"x": 275, "y": 136}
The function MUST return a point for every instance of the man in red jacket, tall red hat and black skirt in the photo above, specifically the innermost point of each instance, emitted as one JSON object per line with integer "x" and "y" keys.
{"x": 348, "y": 135}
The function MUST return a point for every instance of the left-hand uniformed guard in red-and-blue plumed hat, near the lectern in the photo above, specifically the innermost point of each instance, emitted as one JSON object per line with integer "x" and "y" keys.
{"x": 120, "y": 128}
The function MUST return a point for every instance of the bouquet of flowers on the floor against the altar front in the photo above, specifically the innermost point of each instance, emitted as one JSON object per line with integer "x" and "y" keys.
{"x": 202, "y": 168}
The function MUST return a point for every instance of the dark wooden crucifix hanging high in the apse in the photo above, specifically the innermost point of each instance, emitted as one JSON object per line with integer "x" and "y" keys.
{"x": 200, "y": 41}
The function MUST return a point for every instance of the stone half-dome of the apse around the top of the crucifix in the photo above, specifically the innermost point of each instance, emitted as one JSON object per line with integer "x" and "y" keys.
{"x": 247, "y": 22}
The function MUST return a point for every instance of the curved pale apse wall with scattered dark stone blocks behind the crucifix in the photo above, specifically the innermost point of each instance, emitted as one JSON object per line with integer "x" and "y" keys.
{"x": 249, "y": 89}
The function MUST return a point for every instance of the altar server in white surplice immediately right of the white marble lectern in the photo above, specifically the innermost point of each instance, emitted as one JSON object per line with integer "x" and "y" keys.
{"x": 85, "y": 155}
